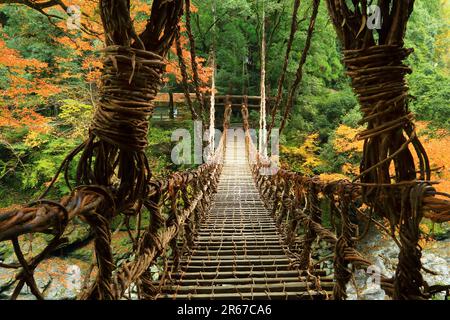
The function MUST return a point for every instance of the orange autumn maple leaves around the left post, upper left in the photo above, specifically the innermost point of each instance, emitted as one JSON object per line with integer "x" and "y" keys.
{"x": 82, "y": 44}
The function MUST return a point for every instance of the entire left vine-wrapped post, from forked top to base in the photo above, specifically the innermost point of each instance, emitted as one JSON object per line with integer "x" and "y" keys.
{"x": 114, "y": 156}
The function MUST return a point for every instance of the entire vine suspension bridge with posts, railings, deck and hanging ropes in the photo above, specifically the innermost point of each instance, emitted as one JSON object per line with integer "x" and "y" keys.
{"x": 228, "y": 229}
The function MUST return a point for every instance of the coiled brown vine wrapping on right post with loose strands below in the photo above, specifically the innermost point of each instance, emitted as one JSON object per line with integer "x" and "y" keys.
{"x": 378, "y": 78}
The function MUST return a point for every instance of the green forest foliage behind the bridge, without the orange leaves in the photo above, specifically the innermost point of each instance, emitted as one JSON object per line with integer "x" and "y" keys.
{"x": 324, "y": 101}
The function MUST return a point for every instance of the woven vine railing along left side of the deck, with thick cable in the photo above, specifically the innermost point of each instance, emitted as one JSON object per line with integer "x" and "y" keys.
{"x": 174, "y": 206}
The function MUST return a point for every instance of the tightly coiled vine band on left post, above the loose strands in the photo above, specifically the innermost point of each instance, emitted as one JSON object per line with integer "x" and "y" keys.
{"x": 130, "y": 81}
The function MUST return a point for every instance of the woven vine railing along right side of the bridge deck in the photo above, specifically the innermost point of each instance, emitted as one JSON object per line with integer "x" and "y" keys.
{"x": 295, "y": 202}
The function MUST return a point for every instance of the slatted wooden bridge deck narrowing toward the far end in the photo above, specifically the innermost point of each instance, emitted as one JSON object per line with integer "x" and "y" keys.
{"x": 238, "y": 252}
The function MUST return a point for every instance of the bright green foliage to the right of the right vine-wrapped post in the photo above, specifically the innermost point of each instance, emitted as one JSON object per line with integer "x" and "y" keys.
{"x": 430, "y": 80}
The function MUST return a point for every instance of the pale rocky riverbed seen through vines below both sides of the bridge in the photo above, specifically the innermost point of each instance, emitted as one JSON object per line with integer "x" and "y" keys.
{"x": 59, "y": 277}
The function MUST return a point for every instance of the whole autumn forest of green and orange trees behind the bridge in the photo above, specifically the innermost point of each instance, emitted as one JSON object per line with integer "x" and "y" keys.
{"x": 50, "y": 75}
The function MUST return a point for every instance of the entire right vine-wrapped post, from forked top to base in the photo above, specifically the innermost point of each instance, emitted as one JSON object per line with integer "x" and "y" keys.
{"x": 375, "y": 66}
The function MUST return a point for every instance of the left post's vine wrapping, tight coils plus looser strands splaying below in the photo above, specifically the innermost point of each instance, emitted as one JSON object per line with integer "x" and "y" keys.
{"x": 118, "y": 134}
